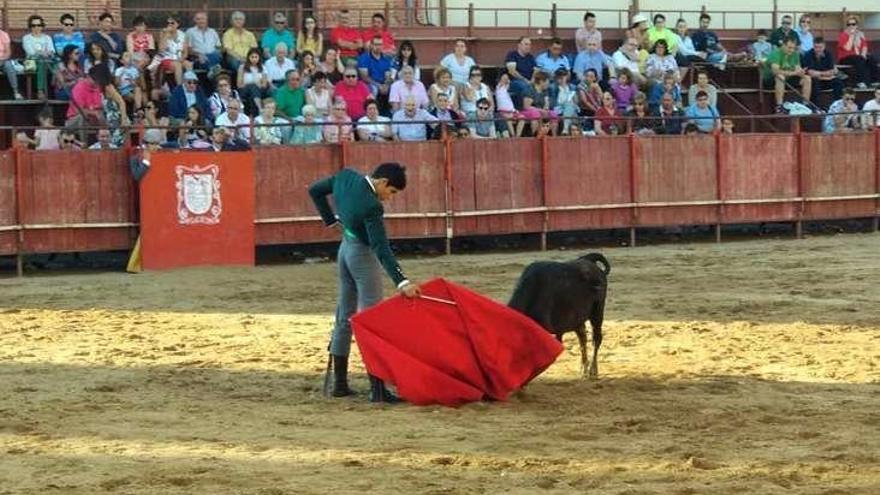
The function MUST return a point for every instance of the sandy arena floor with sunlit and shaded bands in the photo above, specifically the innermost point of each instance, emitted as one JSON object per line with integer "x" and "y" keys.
{"x": 748, "y": 368}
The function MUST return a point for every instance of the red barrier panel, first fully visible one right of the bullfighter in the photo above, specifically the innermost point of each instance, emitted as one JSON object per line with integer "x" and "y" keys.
{"x": 490, "y": 176}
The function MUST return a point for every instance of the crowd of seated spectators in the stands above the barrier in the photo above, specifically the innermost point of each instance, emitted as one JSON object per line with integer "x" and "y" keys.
{"x": 293, "y": 86}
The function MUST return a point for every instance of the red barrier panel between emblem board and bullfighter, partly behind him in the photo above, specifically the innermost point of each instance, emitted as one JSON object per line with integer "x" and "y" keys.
{"x": 283, "y": 206}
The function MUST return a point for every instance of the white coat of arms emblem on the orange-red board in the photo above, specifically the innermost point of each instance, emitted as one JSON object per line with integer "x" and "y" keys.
{"x": 198, "y": 194}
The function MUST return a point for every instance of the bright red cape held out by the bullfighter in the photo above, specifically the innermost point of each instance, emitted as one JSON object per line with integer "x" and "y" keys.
{"x": 450, "y": 354}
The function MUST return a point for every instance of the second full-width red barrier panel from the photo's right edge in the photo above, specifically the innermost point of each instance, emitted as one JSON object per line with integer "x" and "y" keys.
{"x": 759, "y": 186}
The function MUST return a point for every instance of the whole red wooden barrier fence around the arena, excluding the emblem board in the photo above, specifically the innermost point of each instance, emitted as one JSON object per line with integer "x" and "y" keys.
{"x": 83, "y": 201}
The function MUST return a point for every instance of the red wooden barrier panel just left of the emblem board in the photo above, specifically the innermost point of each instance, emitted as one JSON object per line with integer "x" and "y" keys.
{"x": 76, "y": 201}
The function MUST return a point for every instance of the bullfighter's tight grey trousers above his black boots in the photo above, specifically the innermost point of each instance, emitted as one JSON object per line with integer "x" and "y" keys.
{"x": 360, "y": 286}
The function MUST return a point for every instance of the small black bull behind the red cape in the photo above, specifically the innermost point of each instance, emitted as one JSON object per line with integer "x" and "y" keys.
{"x": 562, "y": 296}
